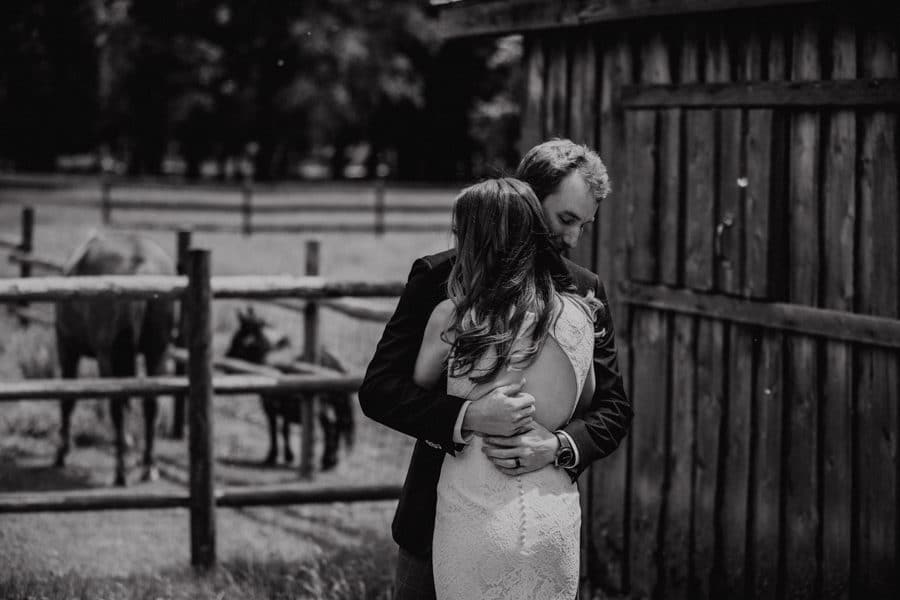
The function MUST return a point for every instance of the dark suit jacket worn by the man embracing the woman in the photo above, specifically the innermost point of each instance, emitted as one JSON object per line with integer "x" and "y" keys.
{"x": 389, "y": 396}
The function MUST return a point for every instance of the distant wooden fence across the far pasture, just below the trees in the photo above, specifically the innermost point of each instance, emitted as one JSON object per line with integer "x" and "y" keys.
{"x": 247, "y": 208}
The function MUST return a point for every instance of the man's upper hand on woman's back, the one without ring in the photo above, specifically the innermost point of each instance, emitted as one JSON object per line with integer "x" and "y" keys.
{"x": 505, "y": 410}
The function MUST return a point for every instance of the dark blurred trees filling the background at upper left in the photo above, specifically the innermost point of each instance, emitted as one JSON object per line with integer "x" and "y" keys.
{"x": 210, "y": 89}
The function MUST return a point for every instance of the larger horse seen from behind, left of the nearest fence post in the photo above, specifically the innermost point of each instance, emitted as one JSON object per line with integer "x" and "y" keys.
{"x": 114, "y": 332}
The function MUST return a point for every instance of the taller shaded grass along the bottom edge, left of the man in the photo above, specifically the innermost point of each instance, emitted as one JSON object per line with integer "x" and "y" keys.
{"x": 361, "y": 573}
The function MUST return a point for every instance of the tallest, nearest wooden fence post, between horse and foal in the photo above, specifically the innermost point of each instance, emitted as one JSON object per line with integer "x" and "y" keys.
{"x": 198, "y": 299}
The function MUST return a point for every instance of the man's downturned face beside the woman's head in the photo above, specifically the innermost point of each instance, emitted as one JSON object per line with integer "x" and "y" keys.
{"x": 568, "y": 209}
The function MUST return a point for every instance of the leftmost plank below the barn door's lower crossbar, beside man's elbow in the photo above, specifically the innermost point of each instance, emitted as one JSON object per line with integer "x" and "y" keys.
{"x": 650, "y": 354}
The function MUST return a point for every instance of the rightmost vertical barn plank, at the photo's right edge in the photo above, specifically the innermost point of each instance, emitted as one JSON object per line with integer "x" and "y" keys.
{"x": 878, "y": 291}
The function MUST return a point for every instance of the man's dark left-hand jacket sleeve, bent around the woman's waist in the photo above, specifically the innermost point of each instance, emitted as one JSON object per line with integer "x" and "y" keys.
{"x": 388, "y": 394}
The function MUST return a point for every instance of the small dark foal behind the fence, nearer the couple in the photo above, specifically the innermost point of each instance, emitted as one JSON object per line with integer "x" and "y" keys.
{"x": 253, "y": 342}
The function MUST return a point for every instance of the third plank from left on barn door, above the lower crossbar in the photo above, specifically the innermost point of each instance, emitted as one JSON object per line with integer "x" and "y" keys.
{"x": 699, "y": 191}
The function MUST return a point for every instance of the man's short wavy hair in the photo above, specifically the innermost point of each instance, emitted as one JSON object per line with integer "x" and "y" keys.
{"x": 547, "y": 164}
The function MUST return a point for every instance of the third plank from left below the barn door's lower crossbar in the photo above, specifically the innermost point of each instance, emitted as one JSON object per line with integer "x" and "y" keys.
{"x": 709, "y": 386}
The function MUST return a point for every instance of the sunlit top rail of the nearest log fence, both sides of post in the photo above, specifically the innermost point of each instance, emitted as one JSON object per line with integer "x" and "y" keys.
{"x": 225, "y": 286}
